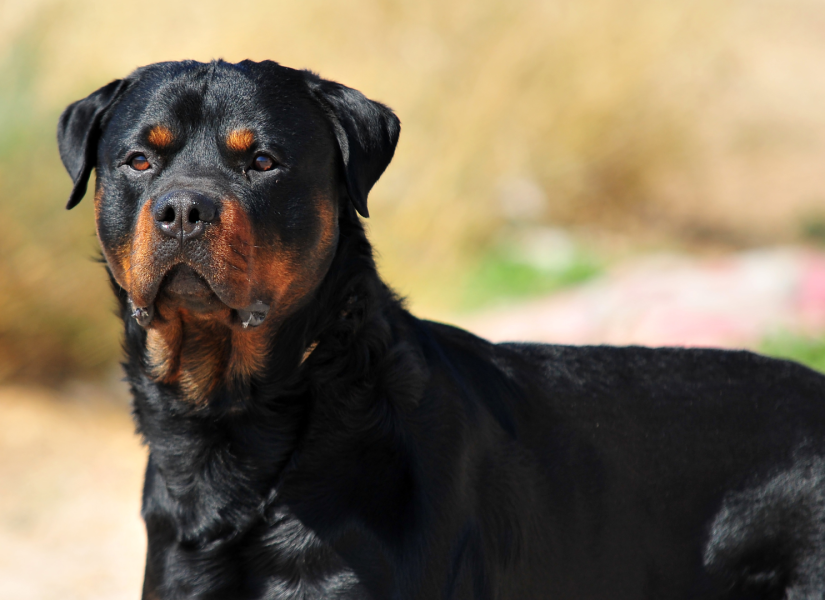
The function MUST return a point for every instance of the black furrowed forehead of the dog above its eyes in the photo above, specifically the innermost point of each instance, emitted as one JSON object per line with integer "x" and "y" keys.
{"x": 271, "y": 101}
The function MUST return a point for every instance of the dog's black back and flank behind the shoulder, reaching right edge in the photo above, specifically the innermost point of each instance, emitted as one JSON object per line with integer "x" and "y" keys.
{"x": 664, "y": 473}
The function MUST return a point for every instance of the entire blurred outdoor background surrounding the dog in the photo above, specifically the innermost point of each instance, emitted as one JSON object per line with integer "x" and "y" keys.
{"x": 577, "y": 171}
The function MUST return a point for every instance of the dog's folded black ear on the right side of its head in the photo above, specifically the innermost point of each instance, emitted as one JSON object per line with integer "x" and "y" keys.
{"x": 367, "y": 133}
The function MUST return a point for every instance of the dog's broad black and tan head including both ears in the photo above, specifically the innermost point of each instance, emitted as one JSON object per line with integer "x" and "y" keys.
{"x": 219, "y": 185}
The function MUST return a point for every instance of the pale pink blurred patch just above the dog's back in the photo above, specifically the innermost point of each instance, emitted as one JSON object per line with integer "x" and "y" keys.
{"x": 732, "y": 302}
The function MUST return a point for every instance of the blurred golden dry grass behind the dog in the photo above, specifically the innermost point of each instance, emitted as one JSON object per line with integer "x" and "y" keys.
{"x": 658, "y": 120}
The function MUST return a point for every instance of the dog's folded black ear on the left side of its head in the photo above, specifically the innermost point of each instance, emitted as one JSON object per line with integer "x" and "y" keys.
{"x": 78, "y": 132}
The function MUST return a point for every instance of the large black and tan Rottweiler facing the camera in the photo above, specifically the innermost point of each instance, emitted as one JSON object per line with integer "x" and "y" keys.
{"x": 309, "y": 438}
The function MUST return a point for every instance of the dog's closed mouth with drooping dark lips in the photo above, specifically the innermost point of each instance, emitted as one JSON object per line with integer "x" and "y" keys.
{"x": 184, "y": 287}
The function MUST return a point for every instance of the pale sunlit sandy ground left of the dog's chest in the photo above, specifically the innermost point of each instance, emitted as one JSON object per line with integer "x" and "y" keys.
{"x": 71, "y": 473}
